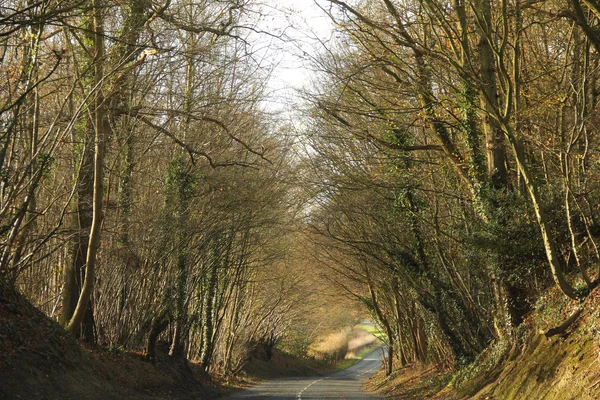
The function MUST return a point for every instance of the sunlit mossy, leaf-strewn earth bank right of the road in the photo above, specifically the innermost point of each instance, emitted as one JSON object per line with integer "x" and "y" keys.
{"x": 529, "y": 366}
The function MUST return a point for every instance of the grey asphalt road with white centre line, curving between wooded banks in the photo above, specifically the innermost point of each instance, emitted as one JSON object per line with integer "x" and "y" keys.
{"x": 346, "y": 384}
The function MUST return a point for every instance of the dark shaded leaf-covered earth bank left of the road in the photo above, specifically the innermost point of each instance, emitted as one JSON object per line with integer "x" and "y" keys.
{"x": 38, "y": 359}
